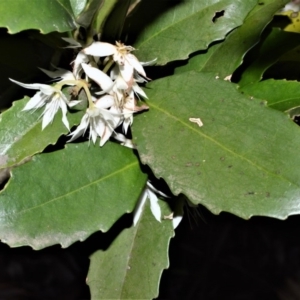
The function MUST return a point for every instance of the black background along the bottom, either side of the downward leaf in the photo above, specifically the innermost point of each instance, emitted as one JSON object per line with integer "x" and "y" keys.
{"x": 211, "y": 257}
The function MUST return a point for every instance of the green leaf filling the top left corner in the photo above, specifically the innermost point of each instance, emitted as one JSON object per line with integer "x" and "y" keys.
{"x": 44, "y": 15}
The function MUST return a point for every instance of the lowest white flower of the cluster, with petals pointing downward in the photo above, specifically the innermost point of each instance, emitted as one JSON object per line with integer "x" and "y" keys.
{"x": 101, "y": 122}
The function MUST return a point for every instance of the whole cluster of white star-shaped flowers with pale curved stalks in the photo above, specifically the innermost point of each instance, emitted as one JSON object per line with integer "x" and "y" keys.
{"x": 112, "y": 105}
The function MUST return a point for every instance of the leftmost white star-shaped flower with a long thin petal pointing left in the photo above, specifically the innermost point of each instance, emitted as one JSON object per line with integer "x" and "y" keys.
{"x": 50, "y": 97}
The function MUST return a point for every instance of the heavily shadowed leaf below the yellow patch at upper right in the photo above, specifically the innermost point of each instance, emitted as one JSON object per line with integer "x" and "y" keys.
{"x": 276, "y": 44}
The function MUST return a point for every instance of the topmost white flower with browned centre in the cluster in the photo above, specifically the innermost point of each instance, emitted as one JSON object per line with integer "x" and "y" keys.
{"x": 126, "y": 61}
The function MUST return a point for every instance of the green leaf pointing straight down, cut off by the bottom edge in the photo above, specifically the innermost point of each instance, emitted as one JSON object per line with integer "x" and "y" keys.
{"x": 132, "y": 266}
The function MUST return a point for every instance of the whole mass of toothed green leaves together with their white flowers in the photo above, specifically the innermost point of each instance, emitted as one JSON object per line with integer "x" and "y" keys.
{"x": 97, "y": 138}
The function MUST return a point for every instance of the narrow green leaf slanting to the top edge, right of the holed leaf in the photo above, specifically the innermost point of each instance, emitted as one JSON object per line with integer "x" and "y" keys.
{"x": 223, "y": 58}
